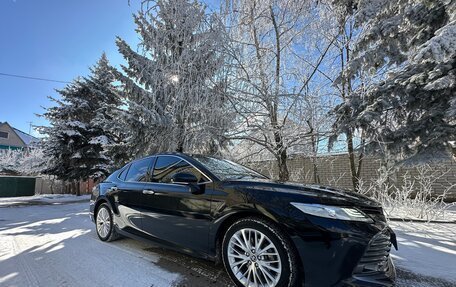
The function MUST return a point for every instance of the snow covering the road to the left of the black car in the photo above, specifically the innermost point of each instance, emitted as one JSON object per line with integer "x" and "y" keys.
{"x": 52, "y": 245}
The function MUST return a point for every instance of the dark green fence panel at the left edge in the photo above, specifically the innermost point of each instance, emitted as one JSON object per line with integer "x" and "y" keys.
{"x": 17, "y": 186}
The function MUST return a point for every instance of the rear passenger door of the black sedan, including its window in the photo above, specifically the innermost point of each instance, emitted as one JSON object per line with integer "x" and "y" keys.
{"x": 130, "y": 194}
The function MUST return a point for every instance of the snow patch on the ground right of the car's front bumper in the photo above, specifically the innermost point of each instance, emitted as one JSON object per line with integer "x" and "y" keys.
{"x": 428, "y": 249}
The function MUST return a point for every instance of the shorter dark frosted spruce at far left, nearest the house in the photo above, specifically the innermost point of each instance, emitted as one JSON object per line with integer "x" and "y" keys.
{"x": 69, "y": 141}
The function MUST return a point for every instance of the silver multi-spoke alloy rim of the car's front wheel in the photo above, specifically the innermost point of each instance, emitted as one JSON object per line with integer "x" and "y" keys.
{"x": 254, "y": 259}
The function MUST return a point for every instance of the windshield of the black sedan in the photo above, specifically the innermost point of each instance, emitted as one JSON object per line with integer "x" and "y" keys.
{"x": 225, "y": 169}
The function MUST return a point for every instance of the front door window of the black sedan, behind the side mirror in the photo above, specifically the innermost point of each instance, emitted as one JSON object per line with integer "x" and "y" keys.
{"x": 167, "y": 166}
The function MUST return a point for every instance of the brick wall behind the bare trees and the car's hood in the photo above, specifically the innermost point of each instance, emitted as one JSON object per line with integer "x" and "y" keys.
{"x": 334, "y": 170}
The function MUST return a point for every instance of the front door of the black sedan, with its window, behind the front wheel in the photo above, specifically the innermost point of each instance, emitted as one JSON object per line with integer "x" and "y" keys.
{"x": 171, "y": 212}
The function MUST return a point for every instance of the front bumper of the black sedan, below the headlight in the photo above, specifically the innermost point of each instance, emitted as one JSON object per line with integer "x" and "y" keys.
{"x": 342, "y": 253}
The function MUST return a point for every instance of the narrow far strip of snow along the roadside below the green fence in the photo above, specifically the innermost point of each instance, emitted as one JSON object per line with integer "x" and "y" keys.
{"x": 42, "y": 199}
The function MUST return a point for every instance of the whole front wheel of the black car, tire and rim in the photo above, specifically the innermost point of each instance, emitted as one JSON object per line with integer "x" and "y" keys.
{"x": 271, "y": 260}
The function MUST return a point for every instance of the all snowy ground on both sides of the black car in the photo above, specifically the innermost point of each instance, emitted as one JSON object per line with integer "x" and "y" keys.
{"x": 56, "y": 245}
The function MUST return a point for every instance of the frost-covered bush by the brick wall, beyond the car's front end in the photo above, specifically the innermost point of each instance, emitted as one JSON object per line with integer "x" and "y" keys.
{"x": 412, "y": 195}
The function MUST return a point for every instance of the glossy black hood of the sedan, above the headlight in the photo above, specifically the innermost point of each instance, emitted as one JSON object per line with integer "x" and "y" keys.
{"x": 309, "y": 193}
